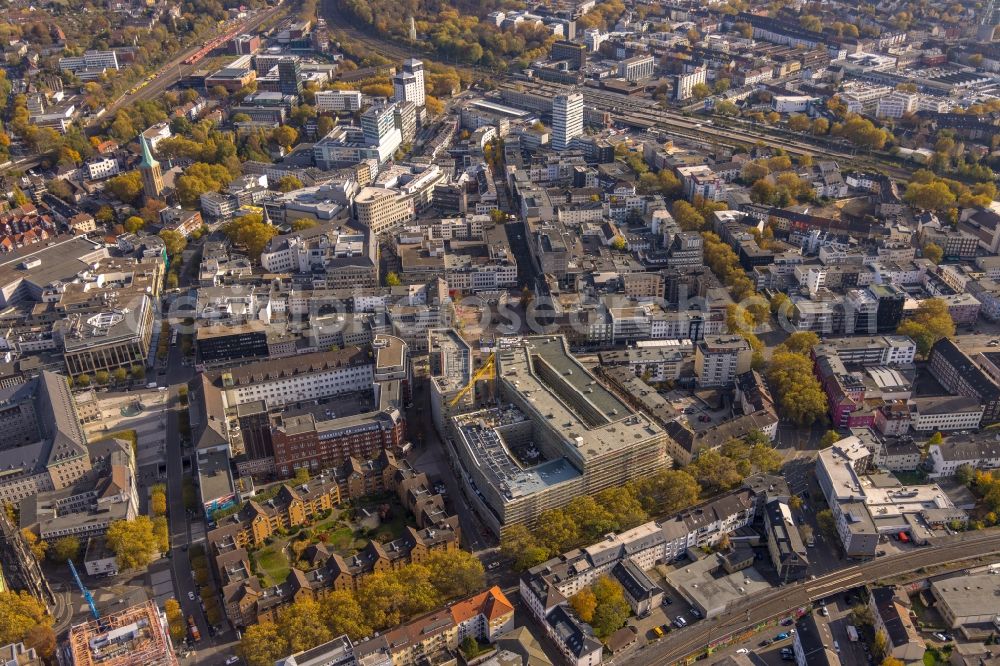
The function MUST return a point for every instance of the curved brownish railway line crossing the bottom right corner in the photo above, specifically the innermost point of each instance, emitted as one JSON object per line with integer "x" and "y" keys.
{"x": 696, "y": 636}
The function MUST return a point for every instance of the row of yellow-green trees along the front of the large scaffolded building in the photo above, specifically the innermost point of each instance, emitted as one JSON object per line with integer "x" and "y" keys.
{"x": 588, "y": 518}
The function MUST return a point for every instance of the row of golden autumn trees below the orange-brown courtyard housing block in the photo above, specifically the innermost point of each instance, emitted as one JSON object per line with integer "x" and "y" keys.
{"x": 384, "y": 599}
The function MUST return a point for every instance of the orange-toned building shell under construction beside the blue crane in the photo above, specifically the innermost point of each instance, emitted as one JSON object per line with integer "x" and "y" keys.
{"x": 131, "y": 637}
